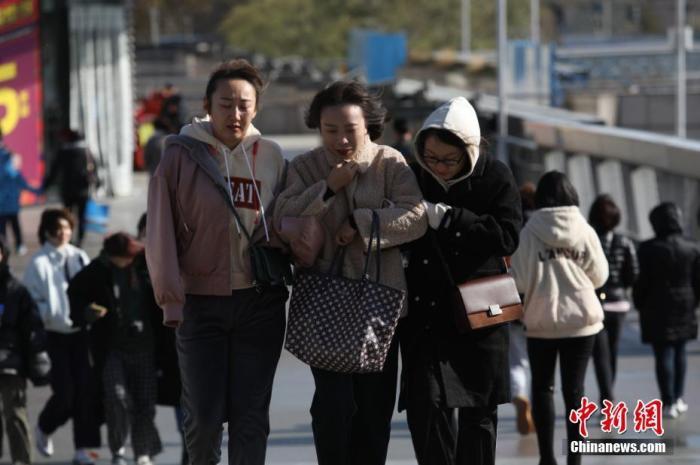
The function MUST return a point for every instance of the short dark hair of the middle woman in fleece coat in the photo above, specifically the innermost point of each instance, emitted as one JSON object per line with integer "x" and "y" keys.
{"x": 348, "y": 93}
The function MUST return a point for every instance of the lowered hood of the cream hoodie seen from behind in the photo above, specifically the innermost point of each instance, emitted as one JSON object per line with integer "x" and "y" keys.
{"x": 558, "y": 226}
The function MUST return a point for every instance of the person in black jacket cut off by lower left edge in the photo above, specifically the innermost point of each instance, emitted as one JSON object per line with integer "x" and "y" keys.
{"x": 22, "y": 355}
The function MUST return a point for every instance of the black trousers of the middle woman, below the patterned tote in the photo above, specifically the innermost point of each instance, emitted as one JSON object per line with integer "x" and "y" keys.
{"x": 351, "y": 414}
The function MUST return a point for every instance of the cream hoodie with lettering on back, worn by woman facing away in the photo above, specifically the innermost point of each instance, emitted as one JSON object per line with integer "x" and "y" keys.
{"x": 558, "y": 266}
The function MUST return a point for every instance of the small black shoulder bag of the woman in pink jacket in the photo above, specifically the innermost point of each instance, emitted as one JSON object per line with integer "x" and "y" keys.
{"x": 270, "y": 266}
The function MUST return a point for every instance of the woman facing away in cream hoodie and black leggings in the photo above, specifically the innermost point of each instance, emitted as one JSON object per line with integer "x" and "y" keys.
{"x": 558, "y": 266}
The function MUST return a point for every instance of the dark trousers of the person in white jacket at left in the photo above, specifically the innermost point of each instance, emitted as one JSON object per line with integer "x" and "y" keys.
{"x": 73, "y": 390}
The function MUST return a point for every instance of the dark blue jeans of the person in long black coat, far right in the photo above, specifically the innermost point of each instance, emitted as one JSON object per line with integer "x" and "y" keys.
{"x": 671, "y": 364}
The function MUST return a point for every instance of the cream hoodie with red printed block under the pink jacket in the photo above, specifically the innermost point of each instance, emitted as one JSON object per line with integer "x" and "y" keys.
{"x": 252, "y": 199}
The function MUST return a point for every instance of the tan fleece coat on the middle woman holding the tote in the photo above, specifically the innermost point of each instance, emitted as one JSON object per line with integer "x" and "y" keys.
{"x": 384, "y": 183}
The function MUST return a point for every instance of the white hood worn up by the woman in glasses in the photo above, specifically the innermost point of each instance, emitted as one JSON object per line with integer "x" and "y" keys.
{"x": 459, "y": 117}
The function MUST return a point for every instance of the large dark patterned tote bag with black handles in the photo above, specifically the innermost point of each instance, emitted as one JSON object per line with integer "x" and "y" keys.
{"x": 341, "y": 324}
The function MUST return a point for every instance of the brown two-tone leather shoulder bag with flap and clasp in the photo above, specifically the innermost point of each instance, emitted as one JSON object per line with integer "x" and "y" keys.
{"x": 483, "y": 302}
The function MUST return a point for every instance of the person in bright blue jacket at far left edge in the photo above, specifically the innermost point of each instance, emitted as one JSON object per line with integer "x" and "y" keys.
{"x": 12, "y": 183}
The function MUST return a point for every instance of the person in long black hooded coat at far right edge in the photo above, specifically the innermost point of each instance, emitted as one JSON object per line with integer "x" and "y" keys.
{"x": 666, "y": 294}
